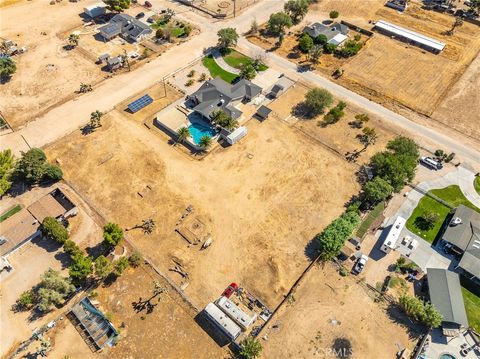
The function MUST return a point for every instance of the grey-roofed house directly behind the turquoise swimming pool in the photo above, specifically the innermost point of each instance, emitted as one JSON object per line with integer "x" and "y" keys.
{"x": 217, "y": 94}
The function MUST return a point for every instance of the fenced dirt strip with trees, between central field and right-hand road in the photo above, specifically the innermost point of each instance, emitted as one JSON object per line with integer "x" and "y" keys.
{"x": 340, "y": 137}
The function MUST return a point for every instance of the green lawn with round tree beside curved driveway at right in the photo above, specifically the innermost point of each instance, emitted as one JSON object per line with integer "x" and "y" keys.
{"x": 452, "y": 195}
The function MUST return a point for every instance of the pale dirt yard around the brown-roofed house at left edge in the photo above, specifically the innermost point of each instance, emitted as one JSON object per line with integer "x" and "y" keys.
{"x": 39, "y": 255}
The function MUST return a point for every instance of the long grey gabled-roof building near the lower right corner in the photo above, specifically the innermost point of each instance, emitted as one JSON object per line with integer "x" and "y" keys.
{"x": 446, "y": 296}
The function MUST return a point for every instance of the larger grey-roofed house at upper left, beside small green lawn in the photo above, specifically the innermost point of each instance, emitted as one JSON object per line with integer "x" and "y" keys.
{"x": 126, "y": 26}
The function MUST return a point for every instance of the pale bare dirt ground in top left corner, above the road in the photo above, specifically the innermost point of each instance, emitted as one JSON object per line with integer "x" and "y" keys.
{"x": 36, "y": 86}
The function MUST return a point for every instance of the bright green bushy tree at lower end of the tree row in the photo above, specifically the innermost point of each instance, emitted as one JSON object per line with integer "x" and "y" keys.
{"x": 333, "y": 237}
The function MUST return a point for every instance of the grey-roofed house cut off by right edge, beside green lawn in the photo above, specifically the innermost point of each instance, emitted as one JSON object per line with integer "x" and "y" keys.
{"x": 463, "y": 233}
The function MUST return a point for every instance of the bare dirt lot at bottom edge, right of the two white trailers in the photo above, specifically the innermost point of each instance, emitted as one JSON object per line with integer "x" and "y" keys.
{"x": 342, "y": 309}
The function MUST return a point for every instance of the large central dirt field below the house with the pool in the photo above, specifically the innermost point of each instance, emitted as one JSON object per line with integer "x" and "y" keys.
{"x": 261, "y": 201}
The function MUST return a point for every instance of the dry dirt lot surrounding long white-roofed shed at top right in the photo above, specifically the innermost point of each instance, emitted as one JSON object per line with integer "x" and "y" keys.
{"x": 391, "y": 72}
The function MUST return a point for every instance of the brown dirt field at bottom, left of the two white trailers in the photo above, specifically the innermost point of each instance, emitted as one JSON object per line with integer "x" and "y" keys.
{"x": 170, "y": 331}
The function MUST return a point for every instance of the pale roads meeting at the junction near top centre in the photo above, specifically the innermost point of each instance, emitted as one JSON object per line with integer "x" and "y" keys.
{"x": 72, "y": 115}
